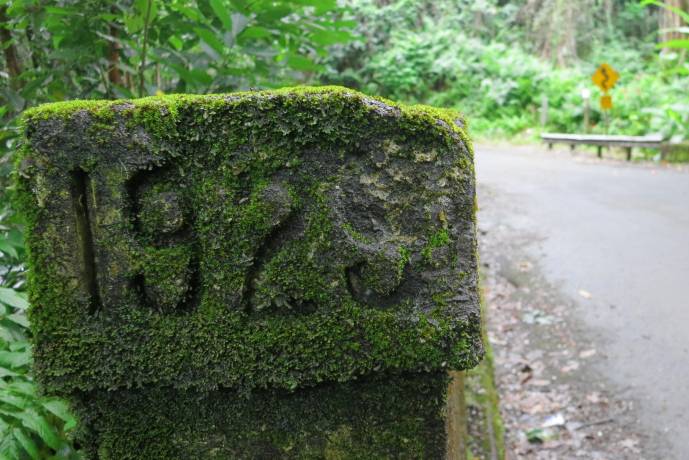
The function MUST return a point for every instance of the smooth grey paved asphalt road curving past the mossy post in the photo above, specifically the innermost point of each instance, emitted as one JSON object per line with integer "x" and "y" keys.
{"x": 620, "y": 232}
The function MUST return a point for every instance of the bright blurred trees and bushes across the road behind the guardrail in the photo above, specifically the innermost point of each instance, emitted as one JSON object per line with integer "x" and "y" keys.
{"x": 495, "y": 60}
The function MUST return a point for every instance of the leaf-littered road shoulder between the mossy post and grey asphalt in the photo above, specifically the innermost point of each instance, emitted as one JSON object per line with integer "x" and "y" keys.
{"x": 554, "y": 402}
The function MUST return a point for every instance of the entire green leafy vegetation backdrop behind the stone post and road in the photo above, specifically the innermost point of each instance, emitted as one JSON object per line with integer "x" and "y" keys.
{"x": 494, "y": 60}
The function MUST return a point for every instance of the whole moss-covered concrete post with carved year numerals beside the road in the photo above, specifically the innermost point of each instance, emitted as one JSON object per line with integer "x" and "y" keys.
{"x": 286, "y": 274}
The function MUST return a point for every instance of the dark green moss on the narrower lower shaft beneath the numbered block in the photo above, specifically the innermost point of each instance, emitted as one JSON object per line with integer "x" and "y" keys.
{"x": 394, "y": 417}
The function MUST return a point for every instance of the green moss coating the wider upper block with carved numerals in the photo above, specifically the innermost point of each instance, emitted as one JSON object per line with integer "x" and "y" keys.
{"x": 230, "y": 201}
